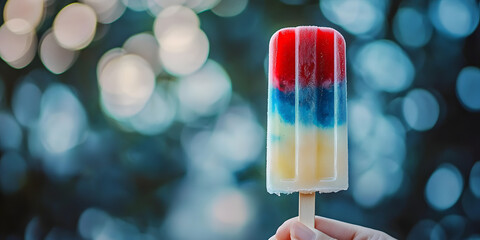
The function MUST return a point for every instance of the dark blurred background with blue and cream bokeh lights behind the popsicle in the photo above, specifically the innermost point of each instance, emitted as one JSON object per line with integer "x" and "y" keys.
{"x": 146, "y": 119}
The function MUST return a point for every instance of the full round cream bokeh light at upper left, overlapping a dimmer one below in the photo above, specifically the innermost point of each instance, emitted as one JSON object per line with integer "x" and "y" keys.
{"x": 74, "y": 26}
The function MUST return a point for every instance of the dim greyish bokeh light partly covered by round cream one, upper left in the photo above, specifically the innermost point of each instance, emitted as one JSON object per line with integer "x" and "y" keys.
{"x": 55, "y": 58}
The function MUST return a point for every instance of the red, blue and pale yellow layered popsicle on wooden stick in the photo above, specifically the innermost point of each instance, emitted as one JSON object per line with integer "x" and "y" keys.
{"x": 307, "y": 94}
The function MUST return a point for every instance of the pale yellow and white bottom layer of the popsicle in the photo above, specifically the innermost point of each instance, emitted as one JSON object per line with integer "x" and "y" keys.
{"x": 314, "y": 159}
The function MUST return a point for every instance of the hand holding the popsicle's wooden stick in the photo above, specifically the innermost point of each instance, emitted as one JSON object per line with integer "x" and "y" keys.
{"x": 326, "y": 228}
